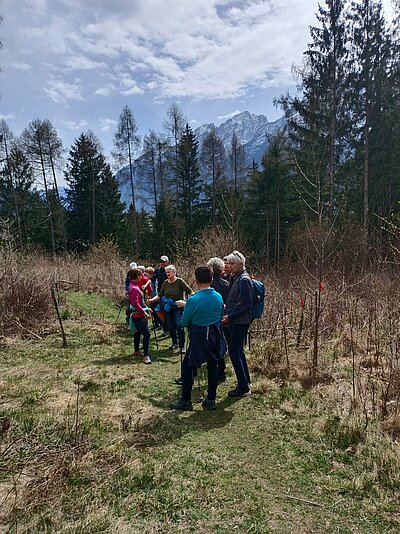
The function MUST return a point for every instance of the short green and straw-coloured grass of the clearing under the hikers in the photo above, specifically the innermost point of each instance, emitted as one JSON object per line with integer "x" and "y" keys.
{"x": 89, "y": 445}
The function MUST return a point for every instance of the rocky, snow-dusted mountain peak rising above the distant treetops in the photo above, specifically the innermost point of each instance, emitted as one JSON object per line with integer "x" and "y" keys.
{"x": 253, "y": 131}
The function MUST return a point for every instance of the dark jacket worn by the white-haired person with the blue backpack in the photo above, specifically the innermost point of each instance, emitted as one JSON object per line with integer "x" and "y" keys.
{"x": 239, "y": 301}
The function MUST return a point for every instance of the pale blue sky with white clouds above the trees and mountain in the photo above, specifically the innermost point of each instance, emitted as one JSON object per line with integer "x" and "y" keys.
{"x": 78, "y": 62}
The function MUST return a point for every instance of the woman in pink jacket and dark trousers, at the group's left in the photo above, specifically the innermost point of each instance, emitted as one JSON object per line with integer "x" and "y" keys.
{"x": 139, "y": 315}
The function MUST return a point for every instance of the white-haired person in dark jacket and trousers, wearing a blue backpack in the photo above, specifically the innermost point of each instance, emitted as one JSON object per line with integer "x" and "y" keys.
{"x": 237, "y": 320}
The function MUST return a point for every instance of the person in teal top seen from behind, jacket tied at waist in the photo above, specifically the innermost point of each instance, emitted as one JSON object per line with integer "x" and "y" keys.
{"x": 202, "y": 315}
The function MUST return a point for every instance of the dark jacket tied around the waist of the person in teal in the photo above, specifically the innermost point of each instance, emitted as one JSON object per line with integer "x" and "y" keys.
{"x": 206, "y": 342}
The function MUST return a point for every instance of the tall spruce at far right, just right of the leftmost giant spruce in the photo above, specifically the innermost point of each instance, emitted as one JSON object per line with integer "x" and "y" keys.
{"x": 370, "y": 65}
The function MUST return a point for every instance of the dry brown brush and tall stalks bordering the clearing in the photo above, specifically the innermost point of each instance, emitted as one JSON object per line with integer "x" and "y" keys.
{"x": 359, "y": 322}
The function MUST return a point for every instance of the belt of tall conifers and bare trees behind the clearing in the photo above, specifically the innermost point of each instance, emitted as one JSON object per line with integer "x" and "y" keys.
{"x": 328, "y": 183}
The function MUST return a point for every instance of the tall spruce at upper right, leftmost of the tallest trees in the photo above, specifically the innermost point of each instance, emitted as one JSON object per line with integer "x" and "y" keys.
{"x": 317, "y": 119}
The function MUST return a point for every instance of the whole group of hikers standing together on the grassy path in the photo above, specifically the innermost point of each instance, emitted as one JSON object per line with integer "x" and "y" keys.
{"x": 217, "y": 317}
